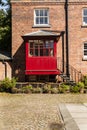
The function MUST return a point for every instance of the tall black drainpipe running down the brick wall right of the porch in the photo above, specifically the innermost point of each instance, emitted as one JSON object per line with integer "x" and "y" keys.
{"x": 67, "y": 42}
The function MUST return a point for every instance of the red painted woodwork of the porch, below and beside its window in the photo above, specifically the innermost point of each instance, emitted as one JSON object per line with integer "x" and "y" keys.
{"x": 41, "y": 65}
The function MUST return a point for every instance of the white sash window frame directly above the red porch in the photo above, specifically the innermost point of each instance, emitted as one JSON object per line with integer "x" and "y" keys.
{"x": 39, "y": 24}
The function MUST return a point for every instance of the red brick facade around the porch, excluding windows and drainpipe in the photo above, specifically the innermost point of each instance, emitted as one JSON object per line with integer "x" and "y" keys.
{"x": 23, "y": 21}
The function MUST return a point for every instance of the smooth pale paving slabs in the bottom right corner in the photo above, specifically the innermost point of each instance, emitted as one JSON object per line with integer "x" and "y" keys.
{"x": 79, "y": 114}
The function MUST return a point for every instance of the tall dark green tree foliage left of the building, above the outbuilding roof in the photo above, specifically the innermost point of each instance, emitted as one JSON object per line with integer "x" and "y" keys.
{"x": 5, "y": 26}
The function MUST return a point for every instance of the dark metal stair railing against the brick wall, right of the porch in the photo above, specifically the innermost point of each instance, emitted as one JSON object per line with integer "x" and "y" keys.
{"x": 75, "y": 75}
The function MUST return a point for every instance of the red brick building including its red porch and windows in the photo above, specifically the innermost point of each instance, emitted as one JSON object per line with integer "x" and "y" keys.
{"x": 48, "y": 35}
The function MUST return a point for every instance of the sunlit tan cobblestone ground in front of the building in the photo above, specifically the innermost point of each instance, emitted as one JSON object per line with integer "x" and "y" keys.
{"x": 33, "y": 111}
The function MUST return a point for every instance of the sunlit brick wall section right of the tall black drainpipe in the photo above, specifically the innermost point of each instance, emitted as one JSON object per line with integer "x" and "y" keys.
{"x": 77, "y": 36}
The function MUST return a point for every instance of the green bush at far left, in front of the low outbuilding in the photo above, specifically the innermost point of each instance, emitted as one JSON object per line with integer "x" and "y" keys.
{"x": 7, "y": 85}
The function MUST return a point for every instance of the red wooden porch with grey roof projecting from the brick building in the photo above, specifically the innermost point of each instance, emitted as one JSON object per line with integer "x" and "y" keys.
{"x": 41, "y": 54}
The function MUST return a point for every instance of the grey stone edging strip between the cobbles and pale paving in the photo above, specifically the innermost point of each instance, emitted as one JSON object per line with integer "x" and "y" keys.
{"x": 67, "y": 119}
